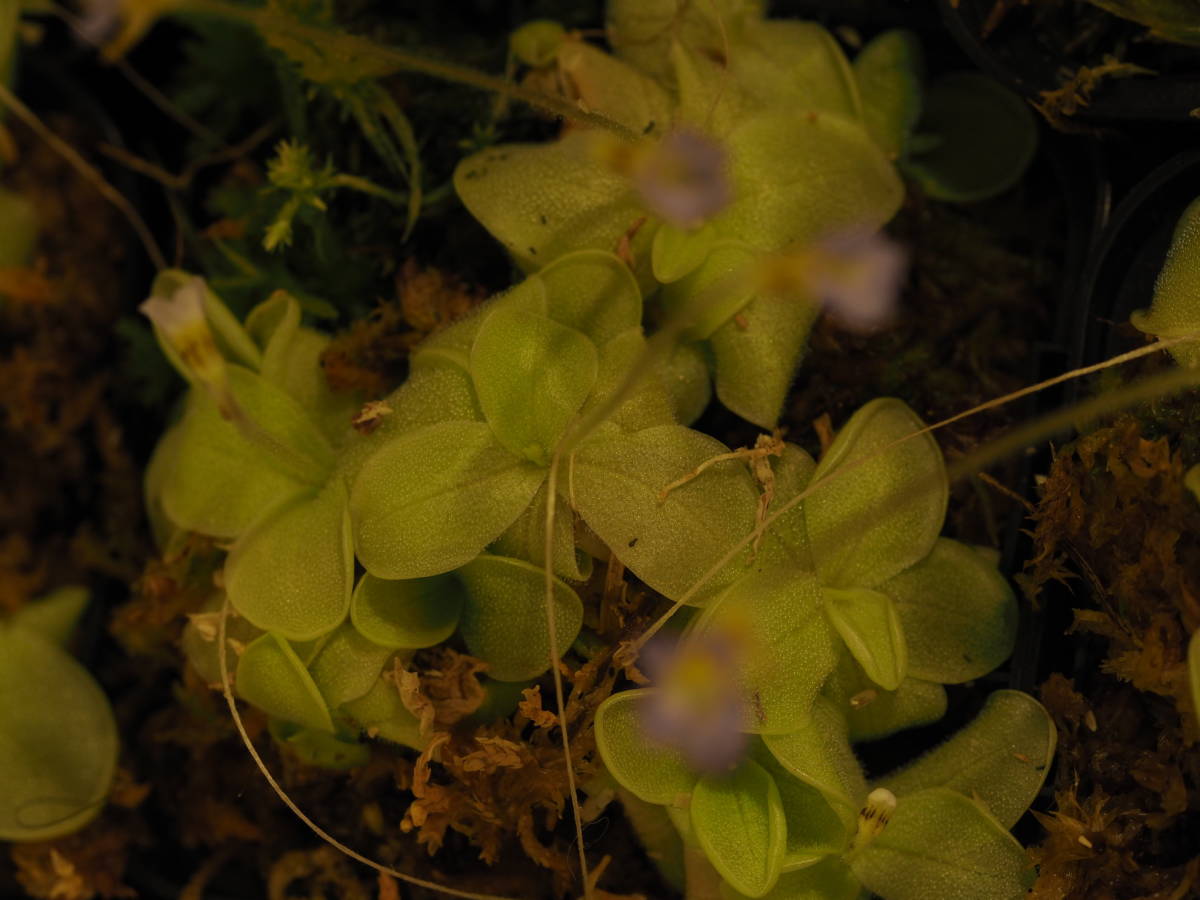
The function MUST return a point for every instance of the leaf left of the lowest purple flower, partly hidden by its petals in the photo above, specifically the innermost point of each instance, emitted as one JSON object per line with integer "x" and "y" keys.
{"x": 650, "y": 771}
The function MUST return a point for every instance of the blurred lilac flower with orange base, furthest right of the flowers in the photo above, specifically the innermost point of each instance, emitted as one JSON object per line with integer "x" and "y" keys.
{"x": 857, "y": 277}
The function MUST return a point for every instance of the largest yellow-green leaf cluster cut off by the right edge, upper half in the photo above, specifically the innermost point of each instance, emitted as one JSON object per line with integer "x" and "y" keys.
{"x": 1175, "y": 309}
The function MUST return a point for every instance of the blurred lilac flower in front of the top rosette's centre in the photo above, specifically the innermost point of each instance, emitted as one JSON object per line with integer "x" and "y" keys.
{"x": 685, "y": 179}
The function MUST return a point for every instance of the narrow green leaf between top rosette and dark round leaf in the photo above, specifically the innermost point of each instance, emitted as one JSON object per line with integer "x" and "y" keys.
{"x": 890, "y": 70}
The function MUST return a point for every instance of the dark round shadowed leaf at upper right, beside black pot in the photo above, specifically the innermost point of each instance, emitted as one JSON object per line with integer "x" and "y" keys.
{"x": 987, "y": 137}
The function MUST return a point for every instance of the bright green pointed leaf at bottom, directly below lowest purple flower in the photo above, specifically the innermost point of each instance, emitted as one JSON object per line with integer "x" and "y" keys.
{"x": 739, "y": 820}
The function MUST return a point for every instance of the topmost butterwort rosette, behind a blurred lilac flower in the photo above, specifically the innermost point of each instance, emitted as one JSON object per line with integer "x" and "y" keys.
{"x": 808, "y": 155}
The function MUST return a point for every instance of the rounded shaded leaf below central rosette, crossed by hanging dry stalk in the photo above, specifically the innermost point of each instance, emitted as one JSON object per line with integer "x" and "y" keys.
{"x": 505, "y": 617}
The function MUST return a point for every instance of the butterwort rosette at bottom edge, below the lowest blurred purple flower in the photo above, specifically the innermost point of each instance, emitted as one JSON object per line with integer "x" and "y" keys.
{"x": 797, "y": 820}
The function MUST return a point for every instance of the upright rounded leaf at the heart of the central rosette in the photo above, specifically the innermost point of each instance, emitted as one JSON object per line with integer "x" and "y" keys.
{"x": 532, "y": 376}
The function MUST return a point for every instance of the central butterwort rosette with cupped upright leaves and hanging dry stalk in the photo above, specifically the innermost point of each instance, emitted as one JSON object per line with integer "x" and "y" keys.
{"x": 463, "y": 464}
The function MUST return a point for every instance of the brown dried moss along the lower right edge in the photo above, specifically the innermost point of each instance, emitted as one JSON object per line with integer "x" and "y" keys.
{"x": 1114, "y": 513}
